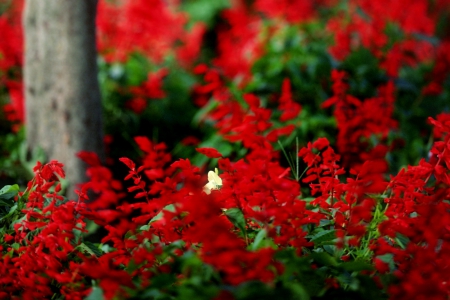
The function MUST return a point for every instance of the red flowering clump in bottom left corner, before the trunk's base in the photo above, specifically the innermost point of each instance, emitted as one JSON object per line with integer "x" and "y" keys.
{"x": 42, "y": 252}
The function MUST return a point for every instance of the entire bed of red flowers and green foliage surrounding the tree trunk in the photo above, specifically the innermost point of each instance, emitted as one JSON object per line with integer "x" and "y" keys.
{"x": 257, "y": 150}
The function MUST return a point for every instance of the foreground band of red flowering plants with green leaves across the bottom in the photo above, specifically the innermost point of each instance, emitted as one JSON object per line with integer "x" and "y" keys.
{"x": 363, "y": 236}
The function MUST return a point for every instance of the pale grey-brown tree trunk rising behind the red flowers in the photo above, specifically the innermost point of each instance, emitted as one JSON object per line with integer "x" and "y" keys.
{"x": 63, "y": 104}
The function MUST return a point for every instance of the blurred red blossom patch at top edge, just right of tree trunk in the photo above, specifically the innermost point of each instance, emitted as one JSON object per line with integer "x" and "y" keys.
{"x": 152, "y": 28}
